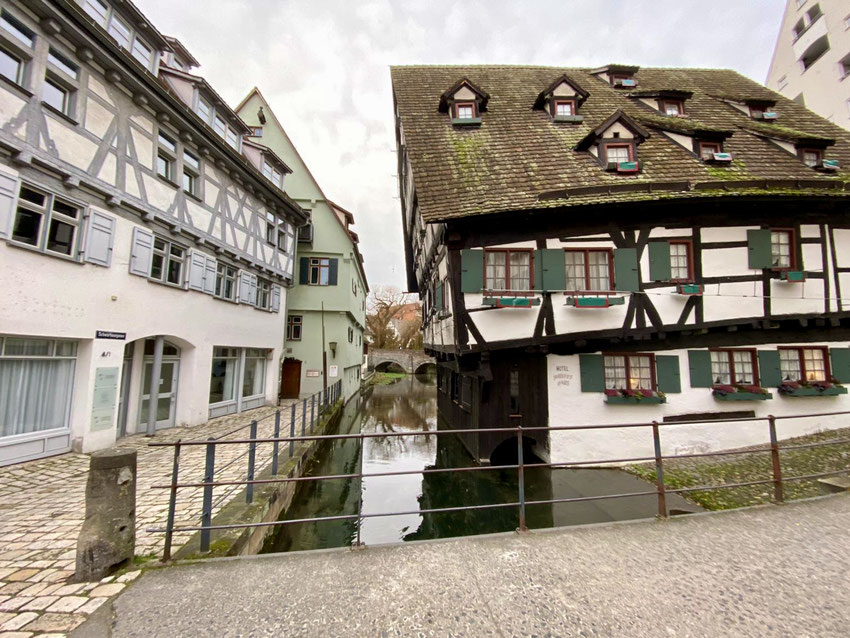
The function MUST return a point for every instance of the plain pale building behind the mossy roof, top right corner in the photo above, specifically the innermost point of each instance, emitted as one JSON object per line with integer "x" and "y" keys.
{"x": 811, "y": 61}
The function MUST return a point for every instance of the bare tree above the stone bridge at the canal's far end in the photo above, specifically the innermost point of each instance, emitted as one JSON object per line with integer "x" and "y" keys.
{"x": 393, "y": 319}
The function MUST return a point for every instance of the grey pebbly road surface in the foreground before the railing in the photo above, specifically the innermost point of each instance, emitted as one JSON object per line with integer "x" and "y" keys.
{"x": 764, "y": 572}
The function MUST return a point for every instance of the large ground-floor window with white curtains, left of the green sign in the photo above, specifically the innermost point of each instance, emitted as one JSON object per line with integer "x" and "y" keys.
{"x": 36, "y": 392}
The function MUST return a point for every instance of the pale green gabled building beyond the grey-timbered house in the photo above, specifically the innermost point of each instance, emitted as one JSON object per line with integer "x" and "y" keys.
{"x": 326, "y": 309}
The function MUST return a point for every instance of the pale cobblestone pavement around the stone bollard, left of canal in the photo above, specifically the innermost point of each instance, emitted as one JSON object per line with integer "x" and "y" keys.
{"x": 42, "y": 506}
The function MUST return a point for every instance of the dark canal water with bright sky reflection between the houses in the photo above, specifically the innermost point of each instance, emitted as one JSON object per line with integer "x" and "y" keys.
{"x": 410, "y": 405}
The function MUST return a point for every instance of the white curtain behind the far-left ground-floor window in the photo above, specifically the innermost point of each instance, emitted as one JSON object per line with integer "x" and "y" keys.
{"x": 35, "y": 394}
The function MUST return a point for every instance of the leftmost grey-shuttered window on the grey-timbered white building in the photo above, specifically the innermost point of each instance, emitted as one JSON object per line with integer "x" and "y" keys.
{"x": 46, "y": 222}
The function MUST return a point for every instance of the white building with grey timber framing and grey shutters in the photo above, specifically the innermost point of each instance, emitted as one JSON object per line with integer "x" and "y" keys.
{"x": 144, "y": 255}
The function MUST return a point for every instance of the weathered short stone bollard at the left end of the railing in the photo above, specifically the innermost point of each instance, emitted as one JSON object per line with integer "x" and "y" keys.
{"x": 107, "y": 541}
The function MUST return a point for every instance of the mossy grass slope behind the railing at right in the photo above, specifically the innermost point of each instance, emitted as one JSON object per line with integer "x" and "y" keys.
{"x": 682, "y": 473}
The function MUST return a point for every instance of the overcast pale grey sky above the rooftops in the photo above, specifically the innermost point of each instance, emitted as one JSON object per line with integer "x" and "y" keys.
{"x": 324, "y": 66}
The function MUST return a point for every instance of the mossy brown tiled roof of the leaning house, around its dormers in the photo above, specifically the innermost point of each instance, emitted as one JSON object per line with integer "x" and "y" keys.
{"x": 518, "y": 154}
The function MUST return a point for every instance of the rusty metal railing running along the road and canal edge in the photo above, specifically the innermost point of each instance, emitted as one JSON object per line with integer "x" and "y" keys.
{"x": 660, "y": 491}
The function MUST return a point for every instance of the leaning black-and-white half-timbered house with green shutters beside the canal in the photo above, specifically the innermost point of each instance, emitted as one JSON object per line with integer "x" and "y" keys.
{"x": 624, "y": 245}
